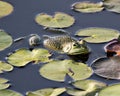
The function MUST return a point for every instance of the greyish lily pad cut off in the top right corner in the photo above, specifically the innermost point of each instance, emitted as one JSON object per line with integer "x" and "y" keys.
{"x": 112, "y": 5}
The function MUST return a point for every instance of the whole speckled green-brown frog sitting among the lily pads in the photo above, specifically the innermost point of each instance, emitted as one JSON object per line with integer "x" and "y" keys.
{"x": 66, "y": 44}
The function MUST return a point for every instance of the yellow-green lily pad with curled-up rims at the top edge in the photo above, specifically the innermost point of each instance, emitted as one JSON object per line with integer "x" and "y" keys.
{"x": 88, "y": 7}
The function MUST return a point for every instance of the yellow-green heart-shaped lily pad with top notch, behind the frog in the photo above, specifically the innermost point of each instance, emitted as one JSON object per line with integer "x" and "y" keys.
{"x": 60, "y": 20}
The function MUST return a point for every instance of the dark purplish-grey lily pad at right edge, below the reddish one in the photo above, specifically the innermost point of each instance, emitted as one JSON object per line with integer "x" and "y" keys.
{"x": 107, "y": 67}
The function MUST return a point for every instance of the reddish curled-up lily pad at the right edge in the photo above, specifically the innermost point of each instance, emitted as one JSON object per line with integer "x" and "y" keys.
{"x": 113, "y": 46}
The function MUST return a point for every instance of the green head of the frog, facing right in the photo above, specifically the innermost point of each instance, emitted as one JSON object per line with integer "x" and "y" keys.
{"x": 78, "y": 48}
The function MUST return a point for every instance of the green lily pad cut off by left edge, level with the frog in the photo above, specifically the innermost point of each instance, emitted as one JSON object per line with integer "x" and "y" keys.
{"x": 5, "y": 40}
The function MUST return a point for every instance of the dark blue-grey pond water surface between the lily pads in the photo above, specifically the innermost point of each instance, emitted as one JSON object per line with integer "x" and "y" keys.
{"x": 21, "y": 23}
